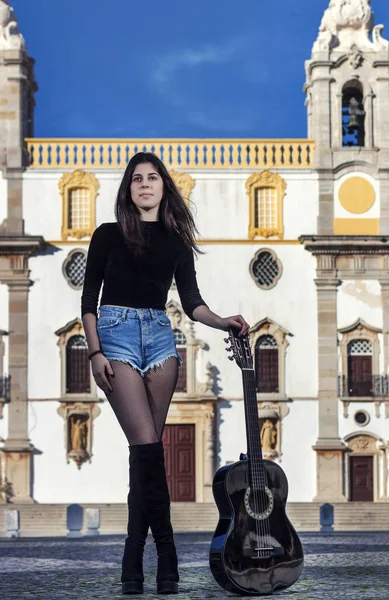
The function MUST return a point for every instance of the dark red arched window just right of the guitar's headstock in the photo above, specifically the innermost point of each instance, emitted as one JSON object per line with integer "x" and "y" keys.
{"x": 266, "y": 365}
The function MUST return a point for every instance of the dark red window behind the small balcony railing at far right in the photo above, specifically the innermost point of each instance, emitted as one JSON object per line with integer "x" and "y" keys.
{"x": 360, "y": 368}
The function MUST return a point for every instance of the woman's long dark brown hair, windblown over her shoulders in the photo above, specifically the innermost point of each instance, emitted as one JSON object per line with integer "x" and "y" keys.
{"x": 173, "y": 211}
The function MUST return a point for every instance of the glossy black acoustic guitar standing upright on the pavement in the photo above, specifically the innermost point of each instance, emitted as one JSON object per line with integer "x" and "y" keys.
{"x": 255, "y": 549}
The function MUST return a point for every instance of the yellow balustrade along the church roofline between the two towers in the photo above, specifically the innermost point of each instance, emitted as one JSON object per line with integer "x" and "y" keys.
{"x": 175, "y": 153}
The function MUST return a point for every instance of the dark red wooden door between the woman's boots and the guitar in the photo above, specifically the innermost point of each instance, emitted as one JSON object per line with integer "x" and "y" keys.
{"x": 179, "y": 444}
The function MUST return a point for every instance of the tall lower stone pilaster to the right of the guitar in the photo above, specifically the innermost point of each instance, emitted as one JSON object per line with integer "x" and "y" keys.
{"x": 329, "y": 447}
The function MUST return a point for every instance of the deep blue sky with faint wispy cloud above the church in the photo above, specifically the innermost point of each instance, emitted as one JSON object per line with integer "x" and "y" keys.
{"x": 169, "y": 68}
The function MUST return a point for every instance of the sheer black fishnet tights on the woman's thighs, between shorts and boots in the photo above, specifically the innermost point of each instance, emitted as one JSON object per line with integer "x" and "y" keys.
{"x": 141, "y": 404}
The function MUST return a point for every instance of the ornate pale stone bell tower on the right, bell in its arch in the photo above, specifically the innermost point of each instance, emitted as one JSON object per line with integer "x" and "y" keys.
{"x": 347, "y": 88}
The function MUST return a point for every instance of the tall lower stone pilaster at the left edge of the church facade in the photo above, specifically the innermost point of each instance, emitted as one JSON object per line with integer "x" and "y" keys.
{"x": 17, "y": 447}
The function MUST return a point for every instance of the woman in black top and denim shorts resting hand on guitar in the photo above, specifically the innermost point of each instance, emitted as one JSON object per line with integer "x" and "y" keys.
{"x": 131, "y": 343}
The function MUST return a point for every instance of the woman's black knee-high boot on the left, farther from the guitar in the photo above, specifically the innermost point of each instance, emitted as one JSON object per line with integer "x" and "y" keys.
{"x": 137, "y": 529}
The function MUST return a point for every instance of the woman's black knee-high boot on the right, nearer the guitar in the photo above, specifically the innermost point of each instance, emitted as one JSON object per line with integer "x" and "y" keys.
{"x": 156, "y": 502}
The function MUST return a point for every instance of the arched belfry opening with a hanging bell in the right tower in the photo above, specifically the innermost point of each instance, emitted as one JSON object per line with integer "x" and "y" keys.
{"x": 353, "y": 114}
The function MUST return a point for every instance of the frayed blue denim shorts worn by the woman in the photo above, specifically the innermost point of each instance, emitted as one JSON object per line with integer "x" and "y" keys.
{"x": 140, "y": 337}
